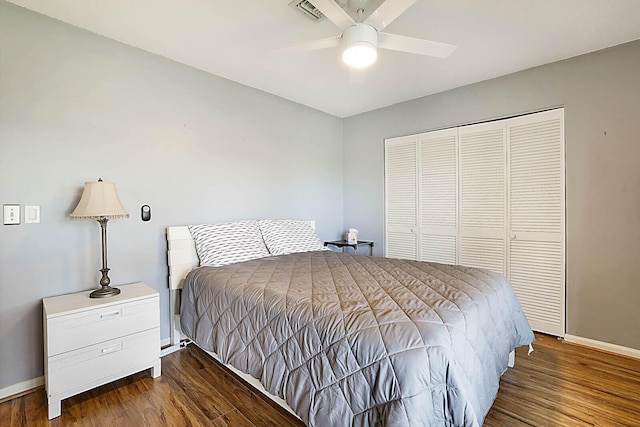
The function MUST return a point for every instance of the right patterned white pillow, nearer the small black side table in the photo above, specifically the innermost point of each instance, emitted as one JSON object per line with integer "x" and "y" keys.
{"x": 286, "y": 236}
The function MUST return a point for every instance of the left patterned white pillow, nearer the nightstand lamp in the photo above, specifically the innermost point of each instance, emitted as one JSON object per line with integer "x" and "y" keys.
{"x": 228, "y": 242}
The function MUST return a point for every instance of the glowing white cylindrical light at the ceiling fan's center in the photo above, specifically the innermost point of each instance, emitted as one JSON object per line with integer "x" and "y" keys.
{"x": 360, "y": 46}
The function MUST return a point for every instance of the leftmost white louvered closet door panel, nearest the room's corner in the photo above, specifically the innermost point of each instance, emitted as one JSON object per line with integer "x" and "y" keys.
{"x": 401, "y": 190}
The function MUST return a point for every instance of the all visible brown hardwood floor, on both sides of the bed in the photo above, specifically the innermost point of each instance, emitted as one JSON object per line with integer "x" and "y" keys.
{"x": 559, "y": 384}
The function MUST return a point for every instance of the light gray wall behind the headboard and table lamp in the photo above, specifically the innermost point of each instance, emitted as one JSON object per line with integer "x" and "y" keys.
{"x": 75, "y": 107}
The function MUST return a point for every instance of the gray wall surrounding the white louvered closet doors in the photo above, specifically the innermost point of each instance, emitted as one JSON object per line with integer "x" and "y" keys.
{"x": 601, "y": 95}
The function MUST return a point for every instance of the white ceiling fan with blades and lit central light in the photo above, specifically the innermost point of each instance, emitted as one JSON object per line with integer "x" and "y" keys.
{"x": 361, "y": 39}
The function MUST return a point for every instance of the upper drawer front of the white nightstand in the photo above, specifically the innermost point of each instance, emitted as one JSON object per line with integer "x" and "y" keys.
{"x": 85, "y": 328}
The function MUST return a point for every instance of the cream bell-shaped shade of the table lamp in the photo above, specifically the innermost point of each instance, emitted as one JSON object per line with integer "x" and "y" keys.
{"x": 99, "y": 200}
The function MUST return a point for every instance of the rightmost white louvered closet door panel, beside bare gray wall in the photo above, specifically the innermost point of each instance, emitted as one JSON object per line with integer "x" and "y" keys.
{"x": 537, "y": 218}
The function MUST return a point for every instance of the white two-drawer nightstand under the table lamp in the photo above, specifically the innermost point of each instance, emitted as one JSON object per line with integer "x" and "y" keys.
{"x": 91, "y": 341}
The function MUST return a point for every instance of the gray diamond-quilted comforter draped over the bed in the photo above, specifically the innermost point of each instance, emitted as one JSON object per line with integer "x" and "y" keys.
{"x": 354, "y": 340}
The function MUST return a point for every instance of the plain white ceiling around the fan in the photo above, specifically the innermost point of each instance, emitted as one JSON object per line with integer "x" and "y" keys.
{"x": 236, "y": 40}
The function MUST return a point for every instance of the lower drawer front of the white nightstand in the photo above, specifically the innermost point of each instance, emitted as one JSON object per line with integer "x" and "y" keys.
{"x": 75, "y": 371}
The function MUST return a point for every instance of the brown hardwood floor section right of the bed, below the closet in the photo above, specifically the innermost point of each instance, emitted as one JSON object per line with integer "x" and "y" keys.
{"x": 562, "y": 384}
